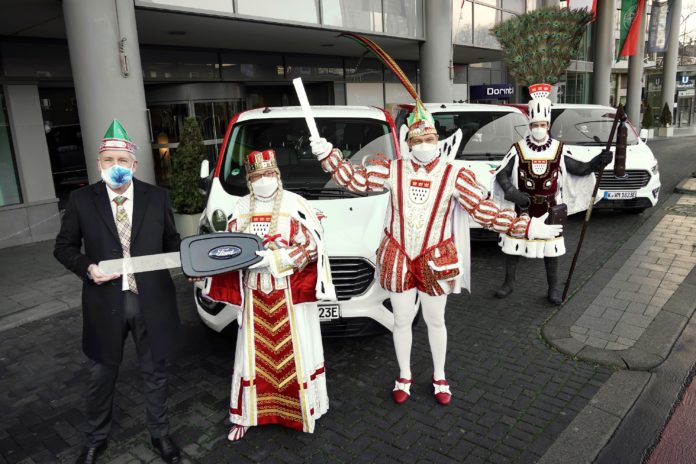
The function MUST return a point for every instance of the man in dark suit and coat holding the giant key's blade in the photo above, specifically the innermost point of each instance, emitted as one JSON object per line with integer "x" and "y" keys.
{"x": 122, "y": 217}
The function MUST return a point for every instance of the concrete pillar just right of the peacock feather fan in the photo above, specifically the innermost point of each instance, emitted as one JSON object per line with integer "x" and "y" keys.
{"x": 604, "y": 51}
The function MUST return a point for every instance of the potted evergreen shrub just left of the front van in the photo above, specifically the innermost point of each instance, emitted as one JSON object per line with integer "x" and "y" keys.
{"x": 187, "y": 200}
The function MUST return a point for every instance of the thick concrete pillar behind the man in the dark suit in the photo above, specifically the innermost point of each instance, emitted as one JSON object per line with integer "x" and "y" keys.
{"x": 94, "y": 30}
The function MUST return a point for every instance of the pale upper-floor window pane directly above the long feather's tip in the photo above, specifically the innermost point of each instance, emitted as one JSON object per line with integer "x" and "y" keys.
{"x": 365, "y": 15}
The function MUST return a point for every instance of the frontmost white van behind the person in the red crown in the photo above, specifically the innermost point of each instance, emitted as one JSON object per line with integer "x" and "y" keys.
{"x": 353, "y": 223}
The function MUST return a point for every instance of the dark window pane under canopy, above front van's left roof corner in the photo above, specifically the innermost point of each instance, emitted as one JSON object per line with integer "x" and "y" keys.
{"x": 252, "y": 66}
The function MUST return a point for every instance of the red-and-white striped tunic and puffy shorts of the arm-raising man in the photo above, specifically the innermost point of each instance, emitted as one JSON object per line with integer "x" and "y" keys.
{"x": 419, "y": 249}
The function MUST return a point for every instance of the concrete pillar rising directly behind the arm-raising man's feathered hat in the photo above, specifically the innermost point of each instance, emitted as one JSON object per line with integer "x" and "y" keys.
{"x": 436, "y": 53}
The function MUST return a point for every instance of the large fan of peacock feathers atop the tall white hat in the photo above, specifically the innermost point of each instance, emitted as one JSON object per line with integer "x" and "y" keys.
{"x": 539, "y": 45}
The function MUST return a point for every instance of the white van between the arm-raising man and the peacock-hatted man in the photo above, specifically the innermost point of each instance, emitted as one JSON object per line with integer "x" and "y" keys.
{"x": 488, "y": 132}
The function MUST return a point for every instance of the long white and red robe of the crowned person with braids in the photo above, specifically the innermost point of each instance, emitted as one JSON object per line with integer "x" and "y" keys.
{"x": 279, "y": 373}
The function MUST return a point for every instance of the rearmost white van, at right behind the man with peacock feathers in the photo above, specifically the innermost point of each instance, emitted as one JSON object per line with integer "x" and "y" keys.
{"x": 585, "y": 129}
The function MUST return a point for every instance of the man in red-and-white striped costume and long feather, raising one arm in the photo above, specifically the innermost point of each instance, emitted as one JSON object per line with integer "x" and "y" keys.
{"x": 424, "y": 251}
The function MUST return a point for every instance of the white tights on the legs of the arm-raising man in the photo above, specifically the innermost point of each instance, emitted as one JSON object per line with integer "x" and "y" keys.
{"x": 405, "y": 311}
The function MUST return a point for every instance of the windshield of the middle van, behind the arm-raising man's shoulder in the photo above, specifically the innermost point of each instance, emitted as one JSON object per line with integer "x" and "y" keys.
{"x": 487, "y": 135}
